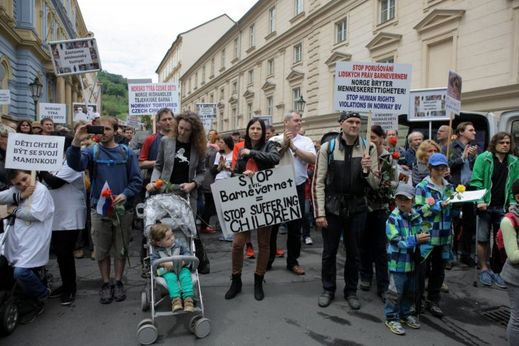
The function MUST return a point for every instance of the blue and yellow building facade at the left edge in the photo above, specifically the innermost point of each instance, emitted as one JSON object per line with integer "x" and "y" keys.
{"x": 26, "y": 27}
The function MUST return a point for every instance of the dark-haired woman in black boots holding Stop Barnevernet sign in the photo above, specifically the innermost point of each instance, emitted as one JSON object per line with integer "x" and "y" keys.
{"x": 256, "y": 155}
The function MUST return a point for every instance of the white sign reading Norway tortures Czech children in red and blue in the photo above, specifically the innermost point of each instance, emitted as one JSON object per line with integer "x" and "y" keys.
{"x": 149, "y": 98}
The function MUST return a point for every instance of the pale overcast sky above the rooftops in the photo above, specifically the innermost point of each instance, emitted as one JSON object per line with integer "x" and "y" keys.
{"x": 134, "y": 35}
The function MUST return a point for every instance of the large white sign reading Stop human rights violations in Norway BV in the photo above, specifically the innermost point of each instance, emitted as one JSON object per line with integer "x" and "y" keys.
{"x": 375, "y": 87}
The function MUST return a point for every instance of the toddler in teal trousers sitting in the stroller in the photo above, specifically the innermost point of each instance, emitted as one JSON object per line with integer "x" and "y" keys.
{"x": 164, "y": 245}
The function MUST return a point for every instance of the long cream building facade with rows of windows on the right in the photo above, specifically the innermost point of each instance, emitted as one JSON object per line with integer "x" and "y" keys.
{"x": 283, "y": 49}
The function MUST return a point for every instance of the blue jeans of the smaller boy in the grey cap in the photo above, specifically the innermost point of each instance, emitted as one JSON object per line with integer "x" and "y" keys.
{"x": 400, "y": 295}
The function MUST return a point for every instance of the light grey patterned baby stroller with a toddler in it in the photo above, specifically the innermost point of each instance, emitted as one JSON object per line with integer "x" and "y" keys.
{"x": 174, "y": 211}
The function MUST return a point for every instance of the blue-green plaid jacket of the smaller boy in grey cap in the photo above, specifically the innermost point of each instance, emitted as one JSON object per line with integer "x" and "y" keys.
{"x": 401, "y": 230}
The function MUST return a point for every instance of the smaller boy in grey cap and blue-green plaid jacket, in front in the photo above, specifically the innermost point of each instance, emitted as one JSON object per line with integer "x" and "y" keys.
{"x": 404, "y": 233}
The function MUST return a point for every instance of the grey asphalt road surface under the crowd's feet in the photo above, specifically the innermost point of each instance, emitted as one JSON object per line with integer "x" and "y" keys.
{"x": 288, "y": 315}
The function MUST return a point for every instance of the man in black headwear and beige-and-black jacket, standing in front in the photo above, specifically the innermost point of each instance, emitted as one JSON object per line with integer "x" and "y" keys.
{"x": 342, "y": 171}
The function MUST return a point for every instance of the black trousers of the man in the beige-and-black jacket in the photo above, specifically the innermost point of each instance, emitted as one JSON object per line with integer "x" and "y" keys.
{"x": 350, "y": 227}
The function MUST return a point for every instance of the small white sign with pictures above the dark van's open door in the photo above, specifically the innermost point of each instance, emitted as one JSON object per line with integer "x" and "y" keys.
{"x": 427, "y": 105}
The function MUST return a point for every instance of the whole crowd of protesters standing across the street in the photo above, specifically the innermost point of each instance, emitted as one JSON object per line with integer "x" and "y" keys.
{"x": 391, "y": 207}
